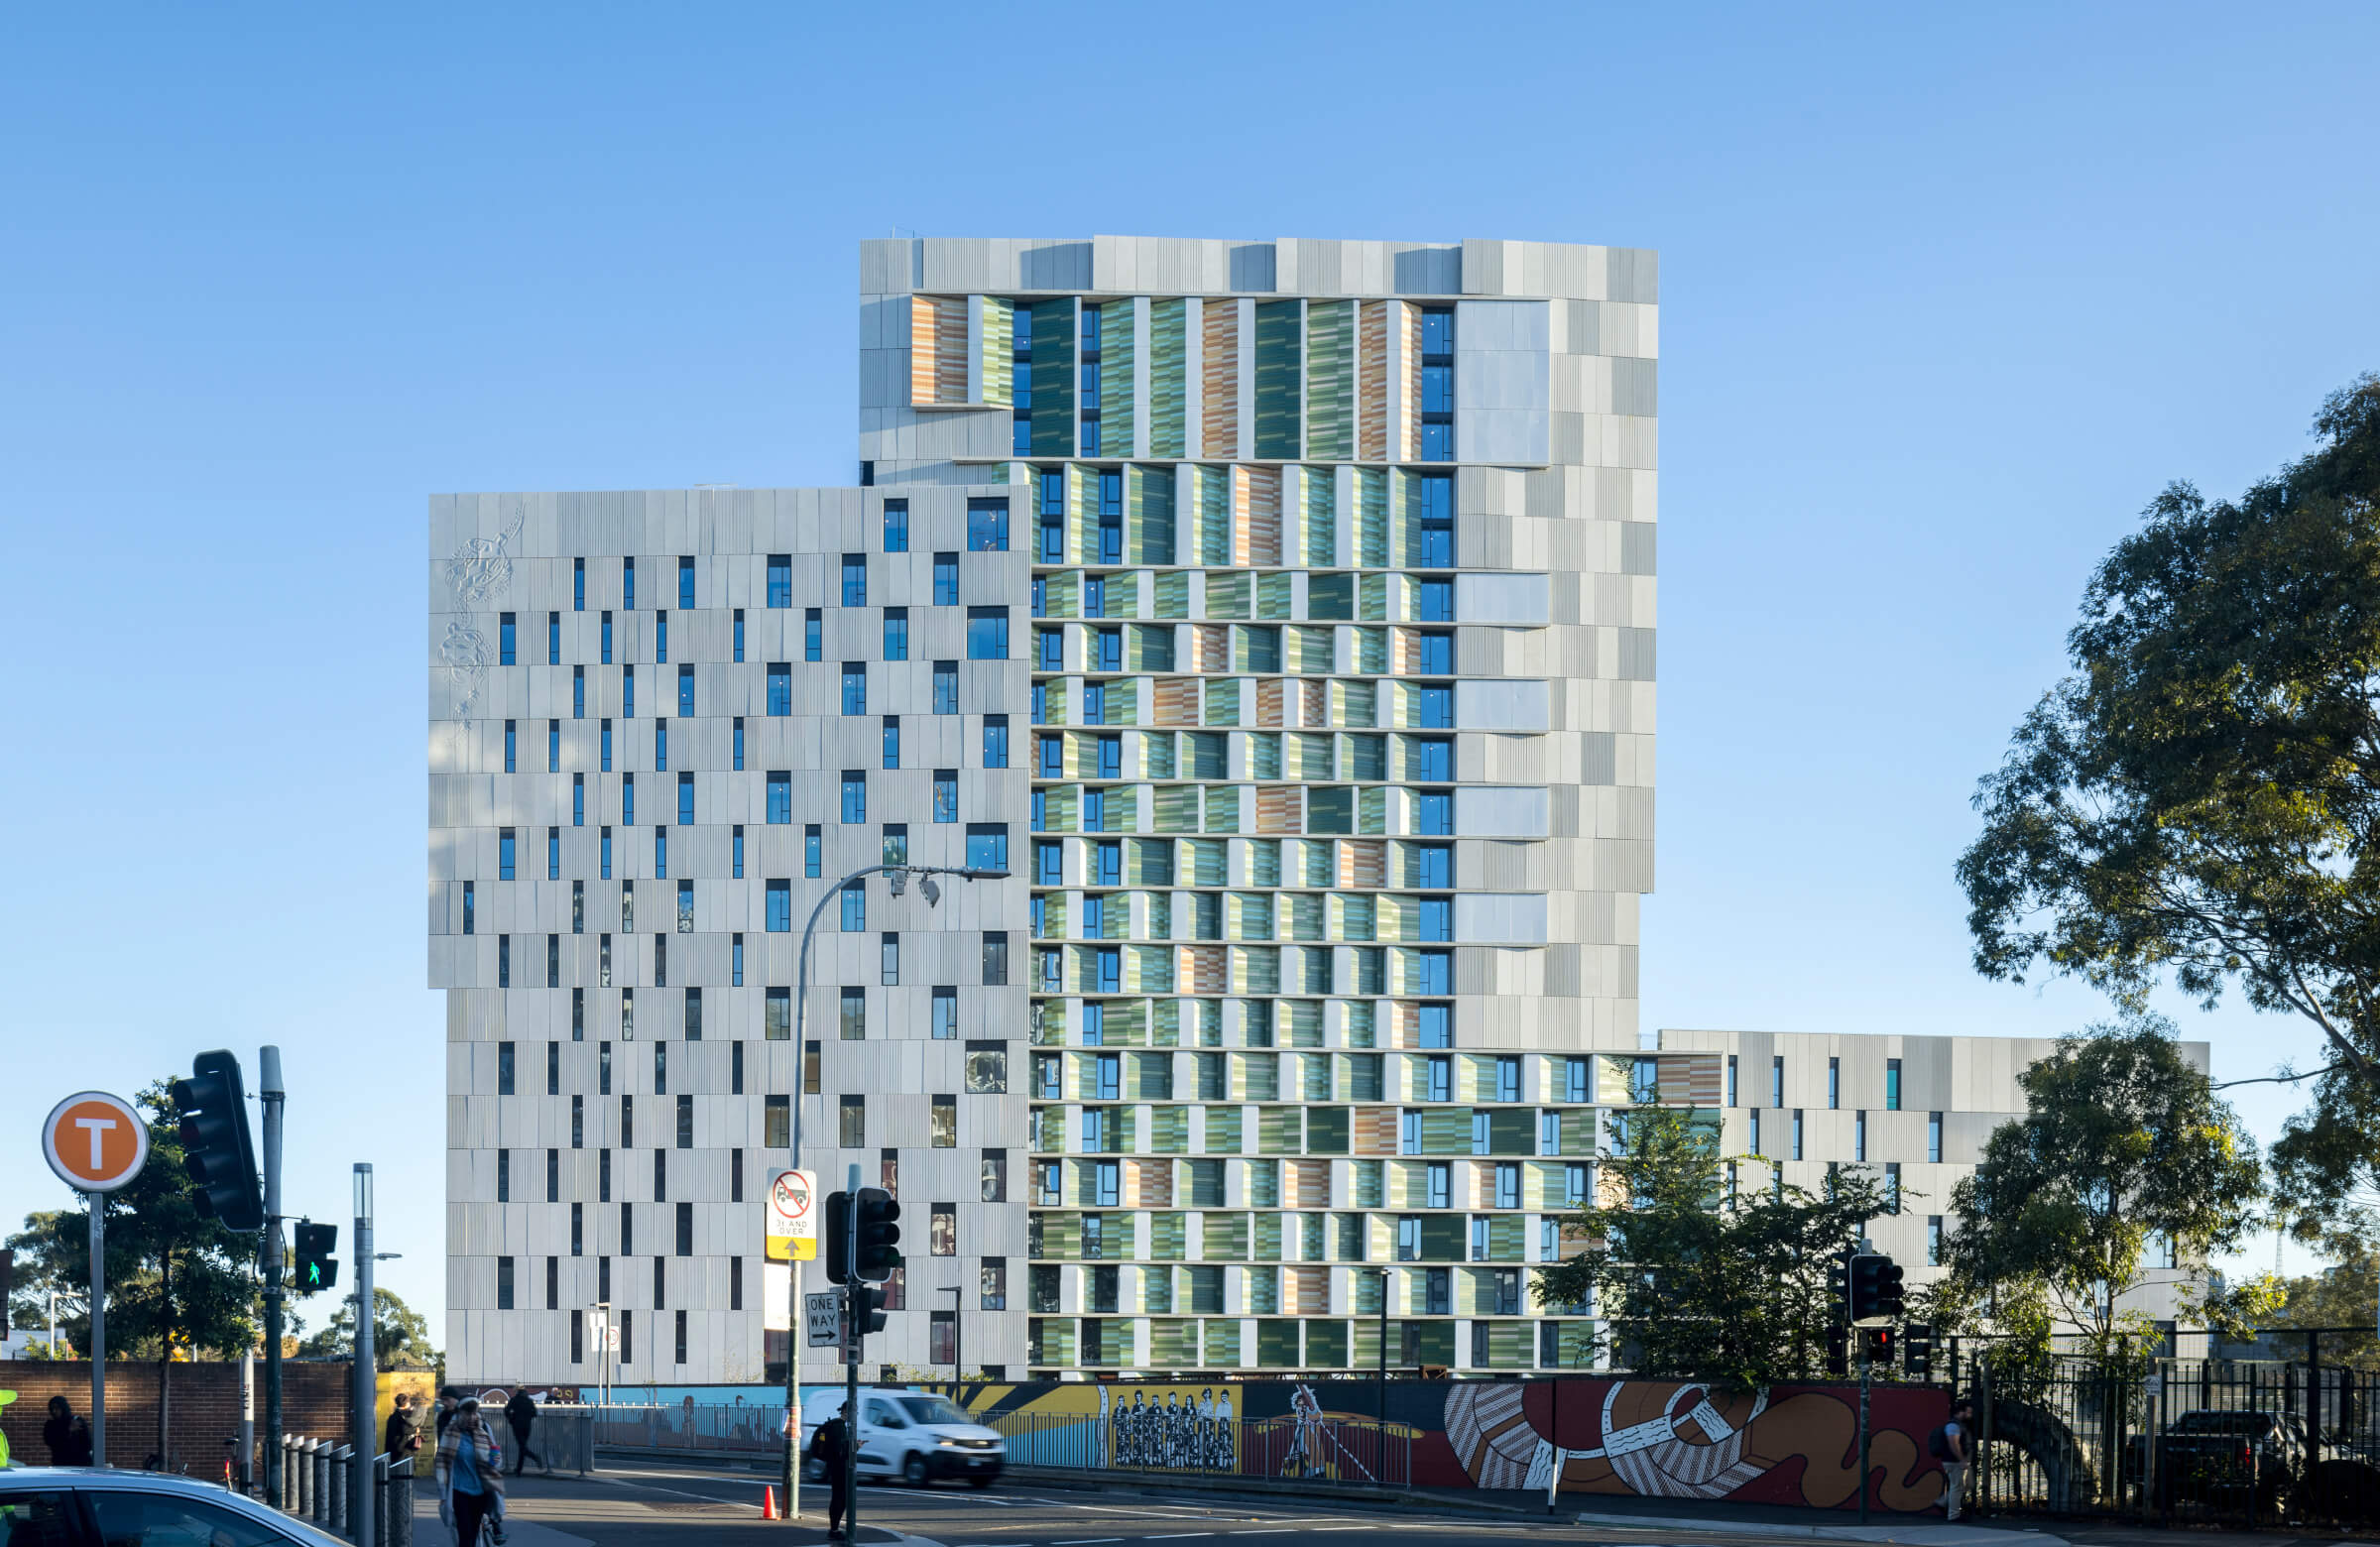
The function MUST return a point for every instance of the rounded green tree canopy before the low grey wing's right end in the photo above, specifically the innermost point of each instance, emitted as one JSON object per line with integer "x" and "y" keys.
{"x": 2122, "y": 1144}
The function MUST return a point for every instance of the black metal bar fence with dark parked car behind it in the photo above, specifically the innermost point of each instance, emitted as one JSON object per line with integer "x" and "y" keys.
{"x": 2179, "y": 1441}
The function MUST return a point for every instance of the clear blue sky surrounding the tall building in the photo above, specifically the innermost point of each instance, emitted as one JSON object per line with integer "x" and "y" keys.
{"x": 1946, "y": 299}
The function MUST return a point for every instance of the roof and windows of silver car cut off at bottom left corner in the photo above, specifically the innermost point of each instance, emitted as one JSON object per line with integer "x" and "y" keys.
{"x": 106, "y": 1508}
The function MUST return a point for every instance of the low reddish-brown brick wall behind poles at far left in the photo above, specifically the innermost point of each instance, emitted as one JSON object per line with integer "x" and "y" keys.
{"x": 206, "y": 1408}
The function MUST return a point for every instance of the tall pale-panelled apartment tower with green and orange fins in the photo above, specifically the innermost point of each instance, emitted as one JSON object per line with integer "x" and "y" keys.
{"x": 1279, "y": 618}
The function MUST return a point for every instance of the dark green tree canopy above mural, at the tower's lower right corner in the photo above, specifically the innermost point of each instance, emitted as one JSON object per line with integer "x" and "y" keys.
{"x": 1701, "y": 1277}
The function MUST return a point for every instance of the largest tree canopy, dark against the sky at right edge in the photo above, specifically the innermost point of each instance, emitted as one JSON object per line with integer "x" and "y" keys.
{"x": 2203, "y": 796}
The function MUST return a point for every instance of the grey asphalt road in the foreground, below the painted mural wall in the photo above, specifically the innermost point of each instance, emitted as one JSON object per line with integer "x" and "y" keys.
{"x": 653, "y": 1505}
